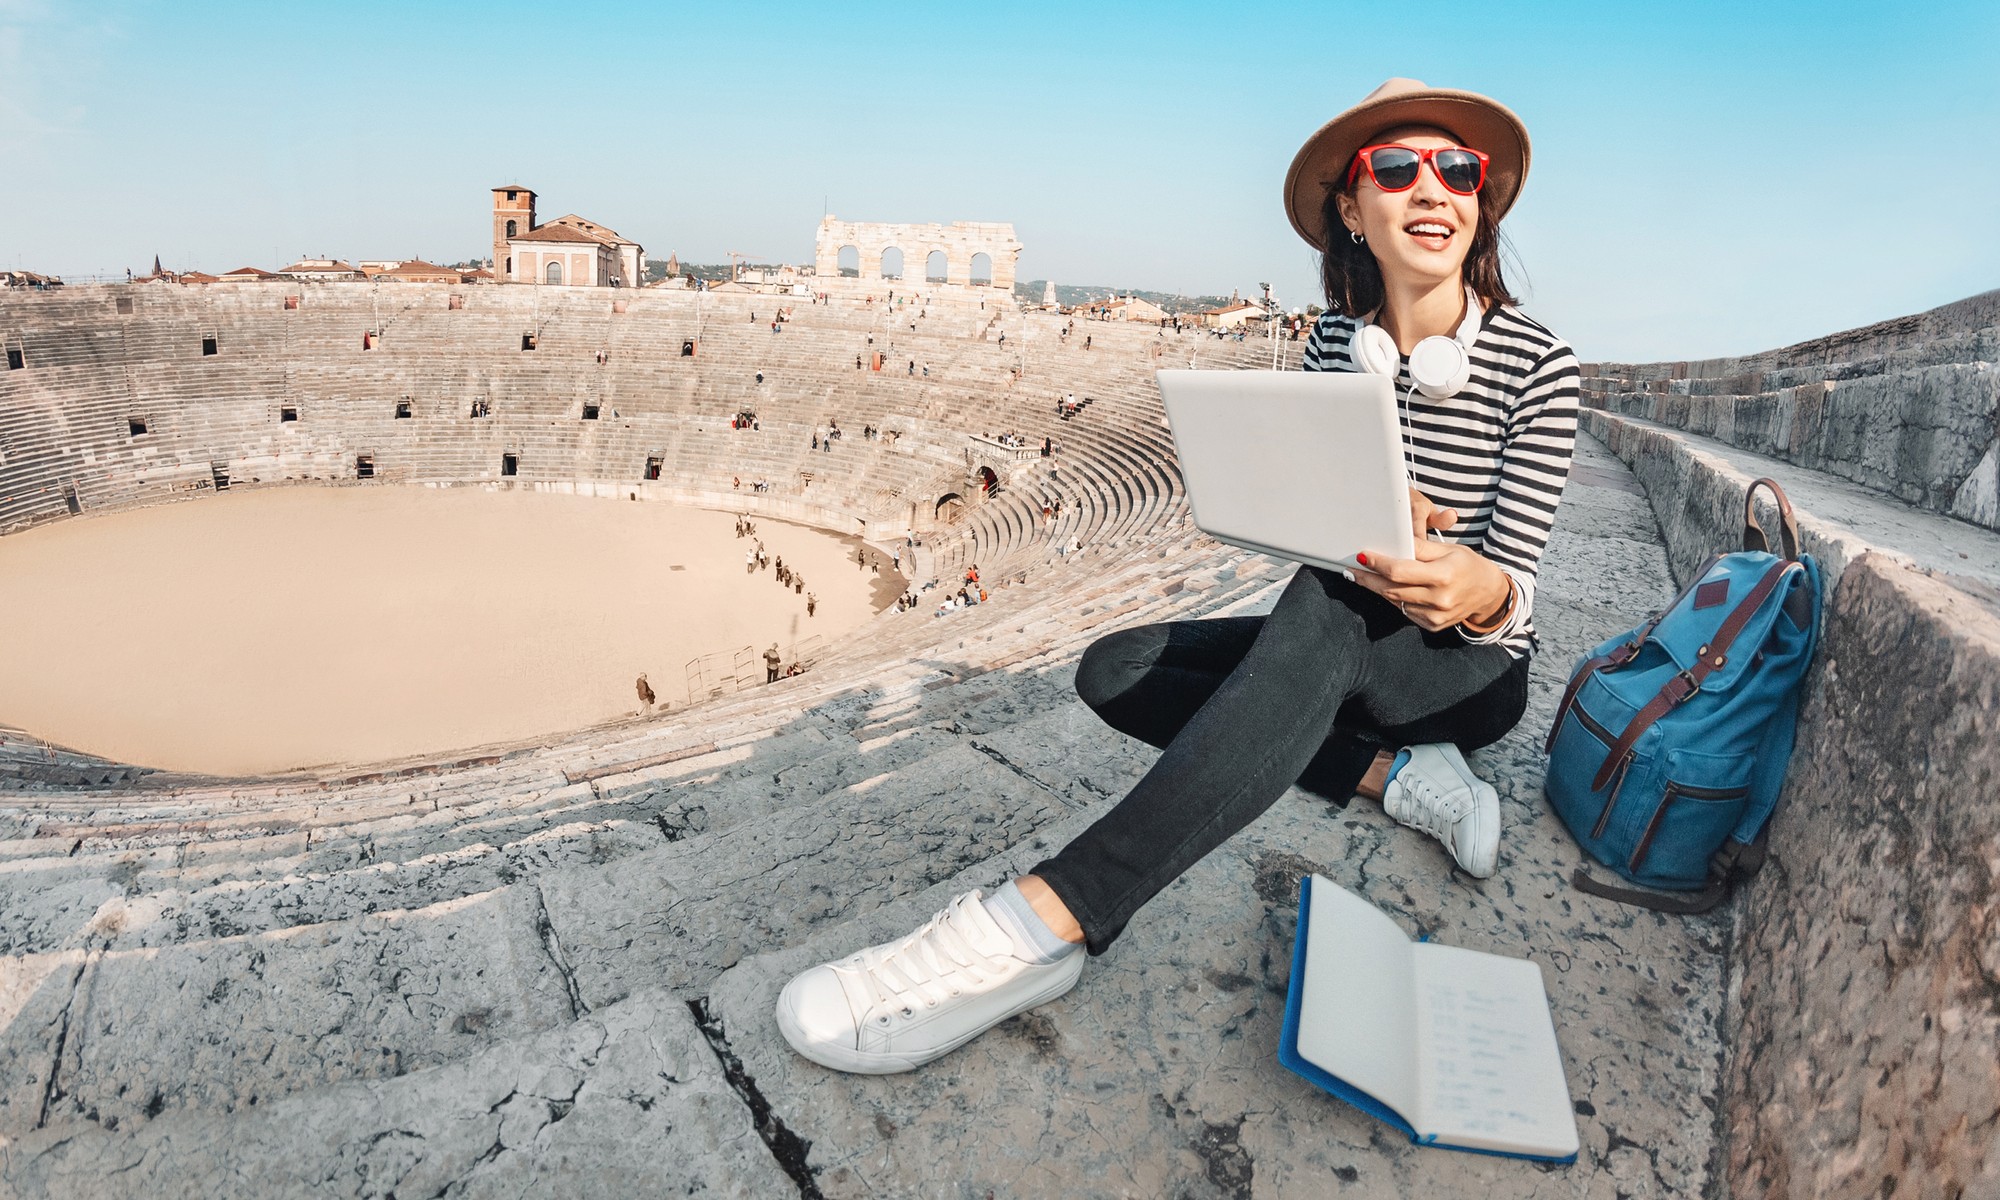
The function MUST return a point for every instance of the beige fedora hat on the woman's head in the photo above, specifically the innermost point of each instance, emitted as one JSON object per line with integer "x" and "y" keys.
{"x": 1473, "y": 119}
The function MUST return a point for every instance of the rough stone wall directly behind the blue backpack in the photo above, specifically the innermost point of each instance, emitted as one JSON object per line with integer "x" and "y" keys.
{"x": 1865, "y": 963}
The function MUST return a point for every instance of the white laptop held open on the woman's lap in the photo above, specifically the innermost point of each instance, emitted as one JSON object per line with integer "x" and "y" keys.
{"x": 1301, "y": 465}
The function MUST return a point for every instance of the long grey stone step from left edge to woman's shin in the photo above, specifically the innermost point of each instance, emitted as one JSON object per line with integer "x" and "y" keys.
{"x": 237, "y": 1021}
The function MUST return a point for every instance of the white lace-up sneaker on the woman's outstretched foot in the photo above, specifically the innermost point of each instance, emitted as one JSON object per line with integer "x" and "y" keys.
{"x": 899, "y": 1005}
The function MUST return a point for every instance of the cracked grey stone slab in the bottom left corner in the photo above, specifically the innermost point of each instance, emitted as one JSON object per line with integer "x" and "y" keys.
{"x": 623, "y": 1103}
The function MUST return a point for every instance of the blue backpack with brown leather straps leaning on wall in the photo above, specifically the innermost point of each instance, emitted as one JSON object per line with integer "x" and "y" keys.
{"x": 1671, "y": 743}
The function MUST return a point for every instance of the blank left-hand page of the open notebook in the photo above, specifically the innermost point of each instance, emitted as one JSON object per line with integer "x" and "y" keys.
{"x": 1359, "y": 1003}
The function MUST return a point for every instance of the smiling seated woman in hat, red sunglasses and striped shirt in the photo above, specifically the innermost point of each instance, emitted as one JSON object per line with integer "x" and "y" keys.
{"x": 1403, "y": 197}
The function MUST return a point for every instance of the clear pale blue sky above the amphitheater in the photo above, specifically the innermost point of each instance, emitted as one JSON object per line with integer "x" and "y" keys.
{"x": 1709, "y": 179}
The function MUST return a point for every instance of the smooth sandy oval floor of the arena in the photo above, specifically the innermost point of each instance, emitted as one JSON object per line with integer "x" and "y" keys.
{"x": 293, "y": 627}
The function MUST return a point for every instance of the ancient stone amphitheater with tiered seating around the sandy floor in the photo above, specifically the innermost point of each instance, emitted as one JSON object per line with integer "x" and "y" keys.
{"x": 547, "y": 965}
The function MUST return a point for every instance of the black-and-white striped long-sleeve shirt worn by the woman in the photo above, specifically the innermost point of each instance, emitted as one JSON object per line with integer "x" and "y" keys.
{"x": 1499, "y": 451}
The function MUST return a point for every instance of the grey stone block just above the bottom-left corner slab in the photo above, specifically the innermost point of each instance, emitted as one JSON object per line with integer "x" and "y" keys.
{"x": 235, "y": 1023}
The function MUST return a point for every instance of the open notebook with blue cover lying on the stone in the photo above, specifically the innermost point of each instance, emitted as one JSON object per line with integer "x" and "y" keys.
{"x": 1453, "y": 1047}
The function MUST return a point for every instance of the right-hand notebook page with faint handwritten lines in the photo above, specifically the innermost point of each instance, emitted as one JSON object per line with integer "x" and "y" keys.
{"x": 1489, "y": 1067}
